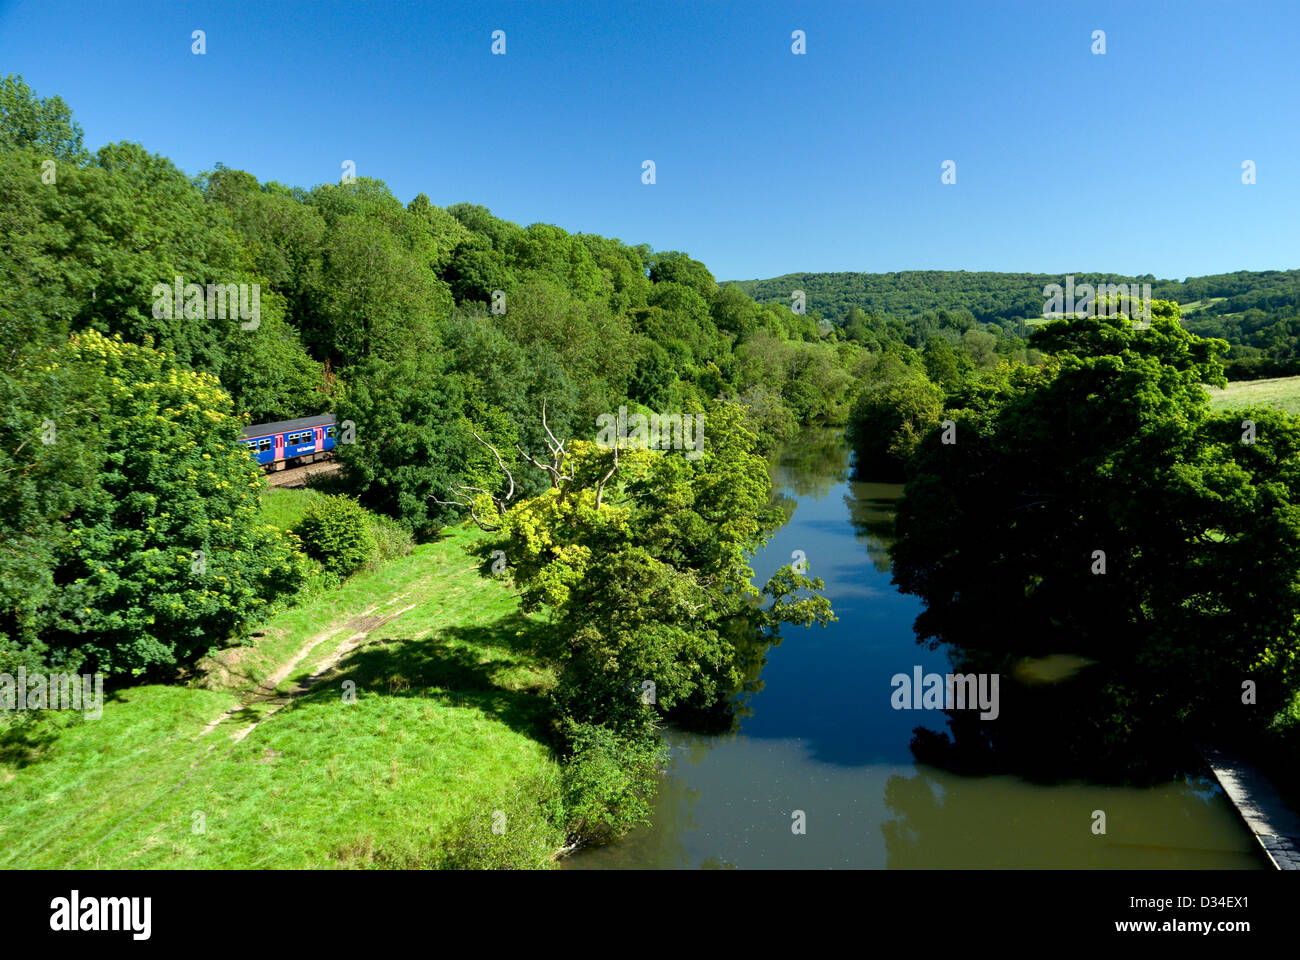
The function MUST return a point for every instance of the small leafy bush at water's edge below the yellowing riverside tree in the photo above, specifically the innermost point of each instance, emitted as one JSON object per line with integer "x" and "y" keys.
{"x": 610, "y": 780}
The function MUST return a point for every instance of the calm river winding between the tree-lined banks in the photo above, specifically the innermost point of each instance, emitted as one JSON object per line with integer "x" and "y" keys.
{"x": 821, "y": 746}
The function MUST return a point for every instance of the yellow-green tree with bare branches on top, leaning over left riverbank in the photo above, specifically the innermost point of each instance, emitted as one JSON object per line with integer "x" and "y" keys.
{"x": 648, "y": 580}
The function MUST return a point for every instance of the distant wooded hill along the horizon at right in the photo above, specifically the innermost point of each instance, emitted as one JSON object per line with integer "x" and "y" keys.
{"x": 1256, "y": 312}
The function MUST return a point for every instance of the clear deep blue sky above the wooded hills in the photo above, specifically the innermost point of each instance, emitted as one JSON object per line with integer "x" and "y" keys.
{"x": 768, "y": 163}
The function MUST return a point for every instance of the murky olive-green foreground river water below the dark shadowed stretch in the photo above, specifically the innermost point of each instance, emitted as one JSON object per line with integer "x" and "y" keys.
{"x": 734, "y": 808}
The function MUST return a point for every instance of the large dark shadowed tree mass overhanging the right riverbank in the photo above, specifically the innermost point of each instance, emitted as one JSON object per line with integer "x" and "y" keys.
{"x": 1098, "y": 507}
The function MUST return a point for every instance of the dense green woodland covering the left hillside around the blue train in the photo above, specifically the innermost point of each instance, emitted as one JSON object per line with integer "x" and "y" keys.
{"x": 376, "y": 310}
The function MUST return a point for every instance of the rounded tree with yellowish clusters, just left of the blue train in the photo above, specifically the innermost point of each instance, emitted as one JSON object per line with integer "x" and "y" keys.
{"x": 166, "y": 556}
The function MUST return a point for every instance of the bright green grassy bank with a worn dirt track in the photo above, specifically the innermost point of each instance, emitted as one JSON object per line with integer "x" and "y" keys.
{"x": 261, "y": 763}
